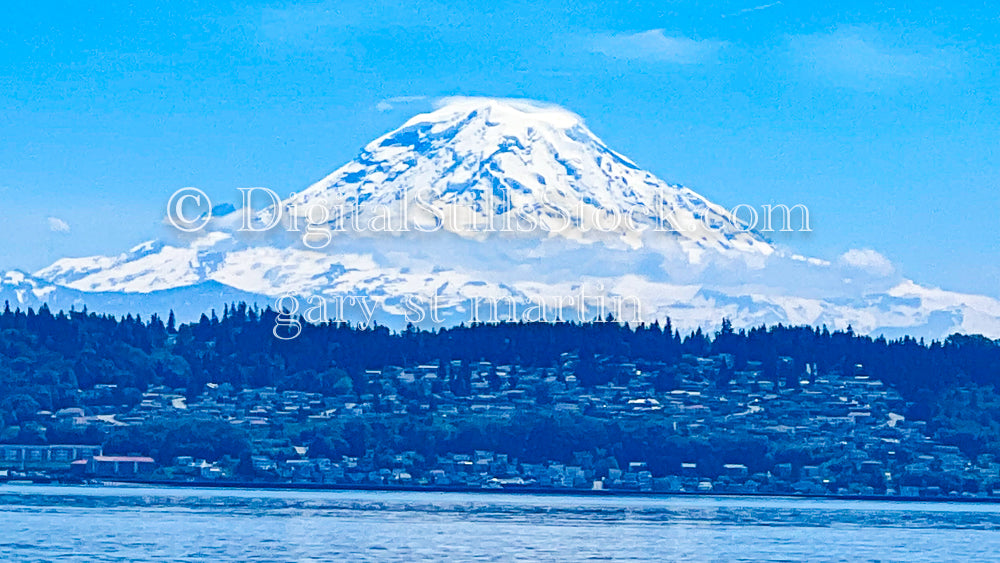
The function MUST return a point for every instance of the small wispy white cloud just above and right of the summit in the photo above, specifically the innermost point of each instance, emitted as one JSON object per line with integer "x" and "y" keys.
{"x": 655, "y": 45}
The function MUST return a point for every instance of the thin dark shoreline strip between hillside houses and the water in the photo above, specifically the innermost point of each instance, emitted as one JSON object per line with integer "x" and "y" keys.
{"x": 509, "y": 490}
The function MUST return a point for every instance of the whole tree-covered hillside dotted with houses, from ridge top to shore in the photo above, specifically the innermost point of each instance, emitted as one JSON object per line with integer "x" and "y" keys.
{"x": 597, "y": 406}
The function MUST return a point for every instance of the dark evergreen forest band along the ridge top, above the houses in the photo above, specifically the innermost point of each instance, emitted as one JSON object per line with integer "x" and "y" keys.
{"x": 48, "y": 356}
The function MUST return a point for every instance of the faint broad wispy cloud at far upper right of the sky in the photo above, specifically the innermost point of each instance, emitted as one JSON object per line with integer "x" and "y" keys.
{"x": 866, "y": 58}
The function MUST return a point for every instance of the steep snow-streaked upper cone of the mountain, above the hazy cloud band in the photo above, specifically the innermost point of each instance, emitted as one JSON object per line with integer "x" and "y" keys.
{"x": 480, "y": 166}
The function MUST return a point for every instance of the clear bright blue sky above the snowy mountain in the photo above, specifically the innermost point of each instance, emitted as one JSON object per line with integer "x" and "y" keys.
{"x": 880, "y": 117}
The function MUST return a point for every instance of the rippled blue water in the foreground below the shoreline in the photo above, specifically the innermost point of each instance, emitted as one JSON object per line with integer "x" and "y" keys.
{"x": 44, "y": 523}
